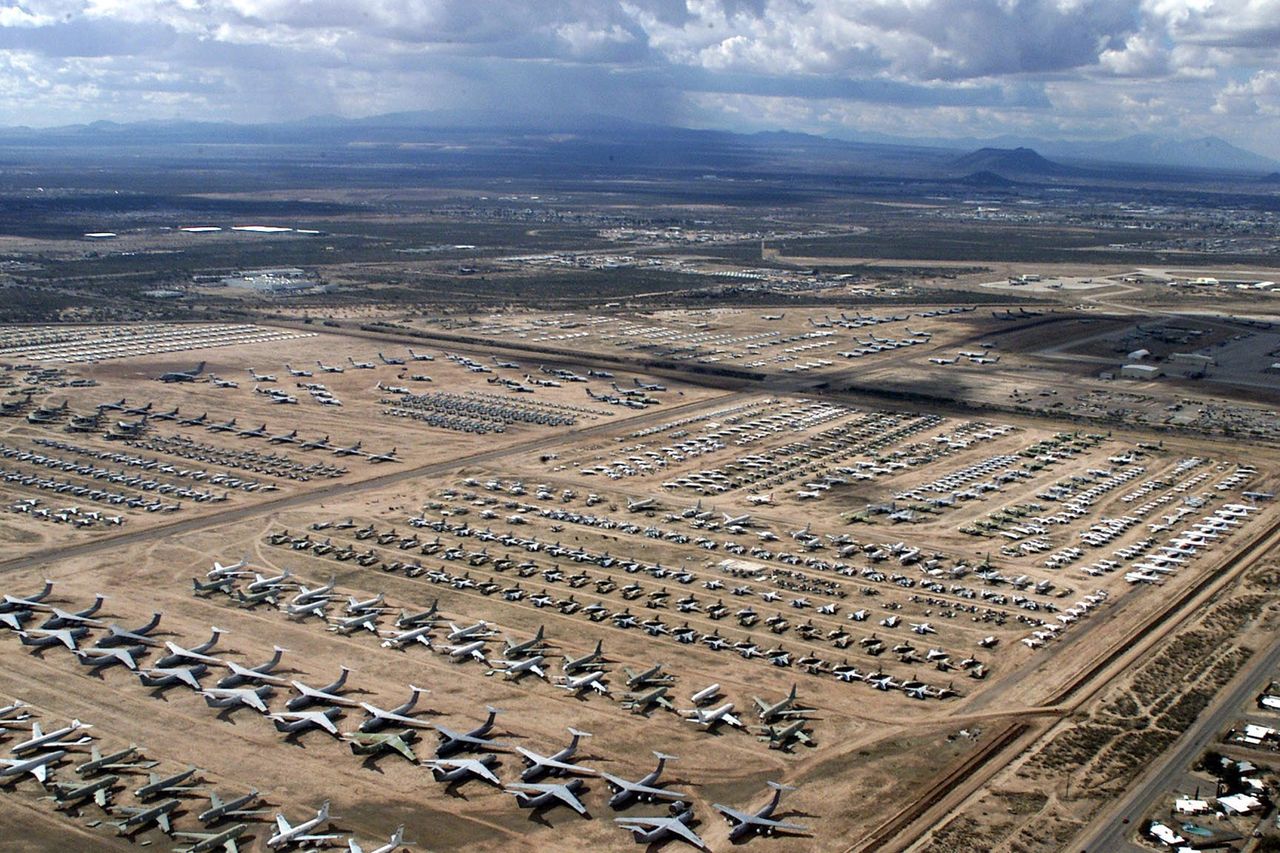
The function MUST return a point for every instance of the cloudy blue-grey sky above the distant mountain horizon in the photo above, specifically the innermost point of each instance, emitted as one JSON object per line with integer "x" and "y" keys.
{"x": 1078, "y": 70}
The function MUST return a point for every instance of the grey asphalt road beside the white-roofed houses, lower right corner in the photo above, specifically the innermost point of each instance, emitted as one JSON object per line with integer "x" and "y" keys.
{"x": 1109, "y": 833}
